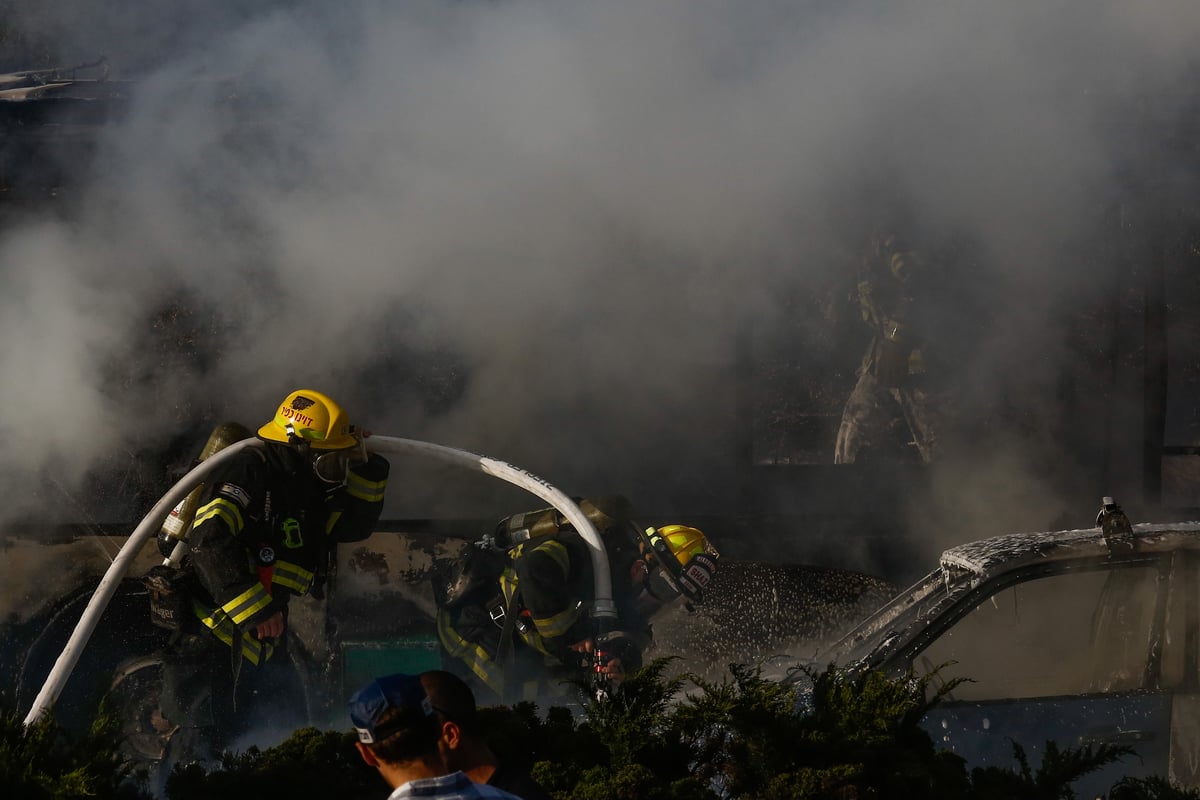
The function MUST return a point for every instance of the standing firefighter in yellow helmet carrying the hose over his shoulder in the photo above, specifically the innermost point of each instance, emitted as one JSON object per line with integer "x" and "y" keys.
{"x": 265, "y": 531}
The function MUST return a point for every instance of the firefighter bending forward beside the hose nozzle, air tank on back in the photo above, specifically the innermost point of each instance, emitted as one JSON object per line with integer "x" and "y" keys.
{"x": 517, "y": 622}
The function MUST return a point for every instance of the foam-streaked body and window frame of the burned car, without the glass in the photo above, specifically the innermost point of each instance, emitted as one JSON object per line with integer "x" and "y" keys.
{"x": 1160, "y": 718}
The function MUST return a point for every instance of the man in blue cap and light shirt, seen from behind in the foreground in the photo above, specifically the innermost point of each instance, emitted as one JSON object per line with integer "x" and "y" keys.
{"x": 401, "y": 736}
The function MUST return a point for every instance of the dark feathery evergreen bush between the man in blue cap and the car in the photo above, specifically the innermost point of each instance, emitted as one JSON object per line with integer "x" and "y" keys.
{"x": 748, "y": 738}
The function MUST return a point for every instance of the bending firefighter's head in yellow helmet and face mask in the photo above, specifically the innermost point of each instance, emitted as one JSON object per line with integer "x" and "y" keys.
{"x": 677, "y": 562}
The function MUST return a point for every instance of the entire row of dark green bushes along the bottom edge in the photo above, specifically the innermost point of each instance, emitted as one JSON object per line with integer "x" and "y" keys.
{"x": 829, "y": 736}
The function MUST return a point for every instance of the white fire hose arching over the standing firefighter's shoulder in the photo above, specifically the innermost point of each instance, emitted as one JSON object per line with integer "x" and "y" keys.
{"x": 149, "y": 526}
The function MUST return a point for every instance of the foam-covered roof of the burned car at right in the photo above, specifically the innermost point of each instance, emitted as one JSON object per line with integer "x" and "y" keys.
{"x": 1011, "y": 551}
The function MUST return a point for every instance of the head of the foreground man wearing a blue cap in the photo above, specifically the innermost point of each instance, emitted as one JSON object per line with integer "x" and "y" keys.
{"x": 398, "y": 725}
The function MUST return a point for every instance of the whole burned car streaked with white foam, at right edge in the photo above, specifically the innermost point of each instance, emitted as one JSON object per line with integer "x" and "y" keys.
{"x": 1079, "y": 637}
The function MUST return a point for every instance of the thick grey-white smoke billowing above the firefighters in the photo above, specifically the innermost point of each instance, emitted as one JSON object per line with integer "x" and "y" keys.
{"x": 584, "y": 204}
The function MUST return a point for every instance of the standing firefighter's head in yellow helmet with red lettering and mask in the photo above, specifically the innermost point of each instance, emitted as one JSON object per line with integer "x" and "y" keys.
{"x": 317, "y": 429}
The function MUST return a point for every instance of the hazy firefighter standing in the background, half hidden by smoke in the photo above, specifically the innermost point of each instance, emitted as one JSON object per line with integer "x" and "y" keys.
{"x": 891, "y": 387}
